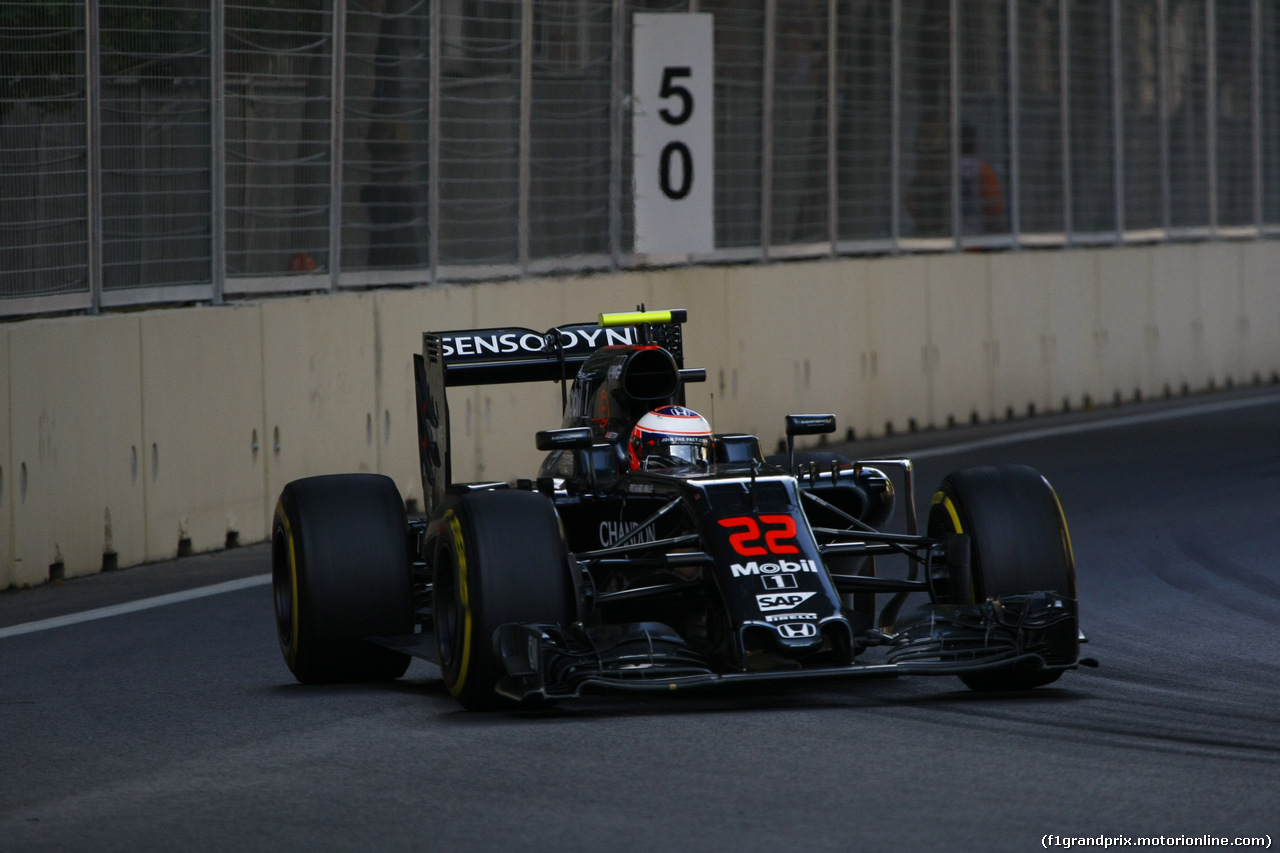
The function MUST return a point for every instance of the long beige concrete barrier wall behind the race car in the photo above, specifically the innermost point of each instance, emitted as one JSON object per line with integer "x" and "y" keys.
{"x": 132, "y": 437}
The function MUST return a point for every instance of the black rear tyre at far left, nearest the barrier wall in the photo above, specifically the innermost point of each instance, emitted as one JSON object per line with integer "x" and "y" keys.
{"x": 341, "y": 573}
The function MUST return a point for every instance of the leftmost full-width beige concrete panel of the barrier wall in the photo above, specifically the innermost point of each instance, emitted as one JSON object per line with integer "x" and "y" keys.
{"x": 77, "y": 445}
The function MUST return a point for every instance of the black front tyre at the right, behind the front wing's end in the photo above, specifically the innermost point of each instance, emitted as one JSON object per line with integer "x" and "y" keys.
{"x": 1020, "y": 544}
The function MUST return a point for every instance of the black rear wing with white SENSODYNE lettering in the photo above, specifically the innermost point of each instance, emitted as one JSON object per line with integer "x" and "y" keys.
{"x": 513, "y": 355}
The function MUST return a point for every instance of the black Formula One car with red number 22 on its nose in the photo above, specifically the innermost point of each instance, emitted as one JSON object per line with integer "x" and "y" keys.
{"x": 653, "y": 555}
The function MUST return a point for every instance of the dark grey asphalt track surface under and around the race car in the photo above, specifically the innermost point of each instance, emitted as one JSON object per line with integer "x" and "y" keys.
{"x": 179, "y": 727}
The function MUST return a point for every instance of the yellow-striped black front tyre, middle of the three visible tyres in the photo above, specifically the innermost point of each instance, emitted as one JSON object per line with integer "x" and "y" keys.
{"x": 500, "y": 558}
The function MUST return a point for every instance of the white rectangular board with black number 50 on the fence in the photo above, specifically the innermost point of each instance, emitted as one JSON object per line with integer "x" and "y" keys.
{"x": 673, "y": 134}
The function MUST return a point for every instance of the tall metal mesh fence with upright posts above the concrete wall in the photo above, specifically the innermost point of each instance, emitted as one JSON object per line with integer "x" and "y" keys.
{"x": 199, "y": 150}
